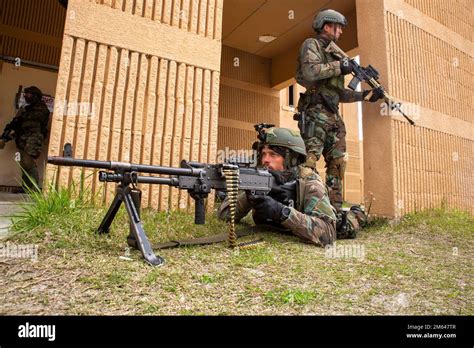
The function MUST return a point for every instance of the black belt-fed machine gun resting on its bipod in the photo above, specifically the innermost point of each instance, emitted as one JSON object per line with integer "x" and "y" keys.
{"x": 197, "y": 178}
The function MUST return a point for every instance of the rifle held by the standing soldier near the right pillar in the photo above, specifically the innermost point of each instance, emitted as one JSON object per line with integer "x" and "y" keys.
{"x": 370, "y": 75}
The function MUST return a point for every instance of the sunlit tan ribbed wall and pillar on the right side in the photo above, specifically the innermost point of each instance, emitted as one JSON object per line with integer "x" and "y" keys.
{"x": 429, "y": 65}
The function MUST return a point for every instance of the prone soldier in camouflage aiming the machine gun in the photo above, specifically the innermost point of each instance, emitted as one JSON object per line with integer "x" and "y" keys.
{"x": 311, "y": 217}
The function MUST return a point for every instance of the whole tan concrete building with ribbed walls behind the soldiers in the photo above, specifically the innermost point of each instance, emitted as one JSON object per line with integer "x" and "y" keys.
{"x": 156, "y": 81}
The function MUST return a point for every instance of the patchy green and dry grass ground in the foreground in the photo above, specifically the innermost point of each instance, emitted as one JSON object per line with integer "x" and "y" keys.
{"x": 420, "y": 264}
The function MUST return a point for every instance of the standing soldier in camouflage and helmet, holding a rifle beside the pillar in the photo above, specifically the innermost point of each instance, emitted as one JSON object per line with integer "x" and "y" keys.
{"x": 322, "y": 74}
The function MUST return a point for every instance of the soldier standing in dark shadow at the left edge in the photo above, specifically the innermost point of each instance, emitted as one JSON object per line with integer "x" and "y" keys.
{"x": 29, "y": 128}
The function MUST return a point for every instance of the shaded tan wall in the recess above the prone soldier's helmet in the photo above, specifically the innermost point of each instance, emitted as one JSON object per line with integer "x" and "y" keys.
{"x": 245, "y": 98}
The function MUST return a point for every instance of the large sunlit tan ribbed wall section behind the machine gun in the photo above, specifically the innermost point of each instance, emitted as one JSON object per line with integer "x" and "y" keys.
{"x": 153, "y": 99}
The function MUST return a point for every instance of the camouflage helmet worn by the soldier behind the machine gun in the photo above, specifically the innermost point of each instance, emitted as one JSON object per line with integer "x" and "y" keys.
{"x": 288, "y": 139}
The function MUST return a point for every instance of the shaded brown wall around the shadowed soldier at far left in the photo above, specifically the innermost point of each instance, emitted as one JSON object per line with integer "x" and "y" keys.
{"x": 10, "y": 79}
